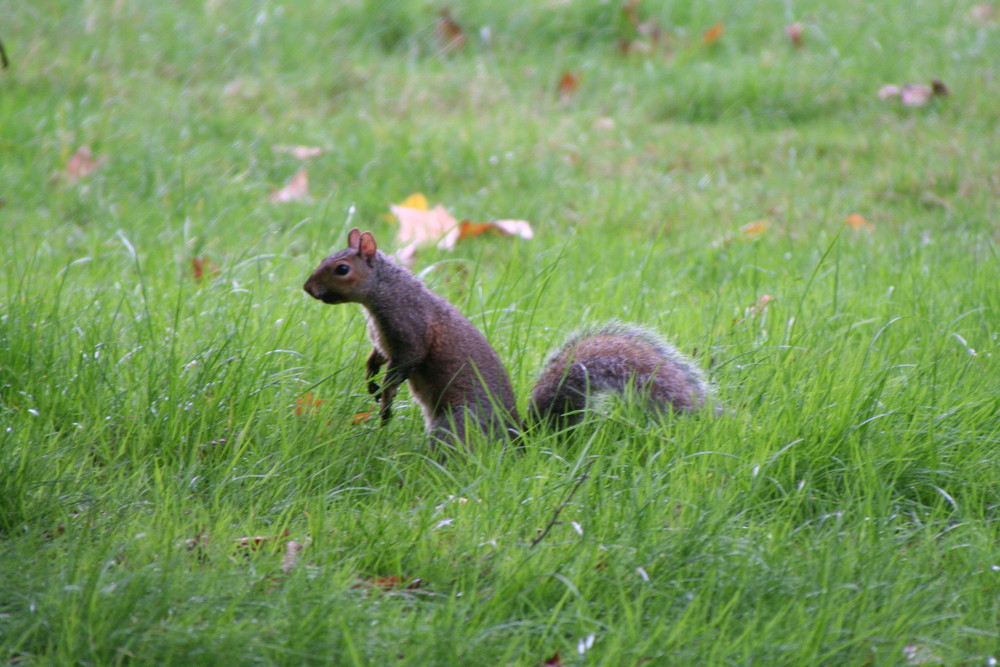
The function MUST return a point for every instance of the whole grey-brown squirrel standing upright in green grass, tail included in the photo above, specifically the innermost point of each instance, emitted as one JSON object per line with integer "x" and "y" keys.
{"x": 457, "y": 376}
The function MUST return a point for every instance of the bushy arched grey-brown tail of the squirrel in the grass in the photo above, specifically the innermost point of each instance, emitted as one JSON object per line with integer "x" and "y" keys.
{"x": 613, "y": 358}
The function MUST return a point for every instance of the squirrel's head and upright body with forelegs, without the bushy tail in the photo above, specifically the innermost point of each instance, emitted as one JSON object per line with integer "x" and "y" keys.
{"x": 454, "y": 373}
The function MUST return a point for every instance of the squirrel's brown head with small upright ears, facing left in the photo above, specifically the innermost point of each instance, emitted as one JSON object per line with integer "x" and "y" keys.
{"x": 345, "y": 276}
